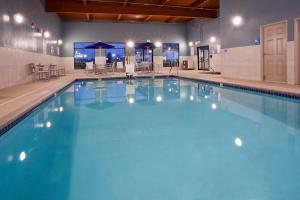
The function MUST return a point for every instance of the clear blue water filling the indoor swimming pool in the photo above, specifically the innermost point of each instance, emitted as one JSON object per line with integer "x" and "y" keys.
{"x": 162, "y": 139}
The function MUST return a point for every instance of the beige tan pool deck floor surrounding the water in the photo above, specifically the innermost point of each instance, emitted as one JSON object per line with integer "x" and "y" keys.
{"x": 18, "y": 100}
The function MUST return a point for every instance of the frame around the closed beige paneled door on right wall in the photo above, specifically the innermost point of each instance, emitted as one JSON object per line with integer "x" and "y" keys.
{"x": 262, "y": 71}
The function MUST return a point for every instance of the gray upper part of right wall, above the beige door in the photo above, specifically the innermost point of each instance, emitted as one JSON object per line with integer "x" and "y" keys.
{"x": 254, "y": 12}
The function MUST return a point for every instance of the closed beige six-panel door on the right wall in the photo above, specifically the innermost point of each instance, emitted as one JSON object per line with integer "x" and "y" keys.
{"x": 275, "y": 52}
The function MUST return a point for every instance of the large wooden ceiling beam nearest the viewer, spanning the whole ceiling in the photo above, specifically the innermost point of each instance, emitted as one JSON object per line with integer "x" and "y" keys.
{"x": 58, "y": 6}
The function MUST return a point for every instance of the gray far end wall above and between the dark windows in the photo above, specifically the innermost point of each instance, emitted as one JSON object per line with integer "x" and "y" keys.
{"x": 121, "y": 32}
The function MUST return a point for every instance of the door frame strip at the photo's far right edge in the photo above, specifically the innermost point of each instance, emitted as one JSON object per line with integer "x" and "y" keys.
{"x": 297, "y": 50}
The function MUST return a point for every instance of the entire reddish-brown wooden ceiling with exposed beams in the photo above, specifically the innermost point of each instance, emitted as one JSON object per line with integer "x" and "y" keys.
{"x": 168, "y": 11}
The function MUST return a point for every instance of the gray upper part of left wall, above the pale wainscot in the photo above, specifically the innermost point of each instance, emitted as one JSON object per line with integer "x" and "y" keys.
{"x": 20, "y": 36}
